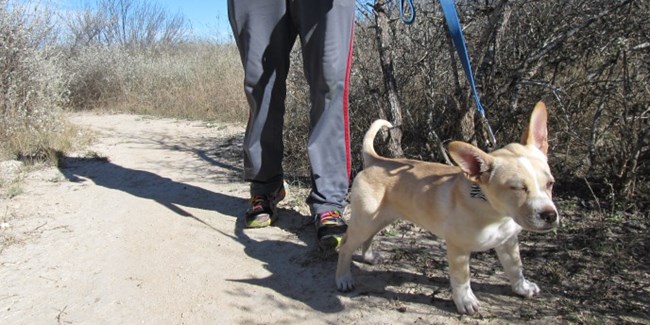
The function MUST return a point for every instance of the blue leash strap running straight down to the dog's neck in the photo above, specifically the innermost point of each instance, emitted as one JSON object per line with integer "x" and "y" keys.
{"x": 456, "y": 32}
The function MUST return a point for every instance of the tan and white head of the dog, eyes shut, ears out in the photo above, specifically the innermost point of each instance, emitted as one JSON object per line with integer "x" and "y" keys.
{"x": 516, "y": 179}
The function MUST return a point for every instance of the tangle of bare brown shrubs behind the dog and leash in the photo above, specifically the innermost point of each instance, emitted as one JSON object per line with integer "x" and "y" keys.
{"x": 587, "y": 60}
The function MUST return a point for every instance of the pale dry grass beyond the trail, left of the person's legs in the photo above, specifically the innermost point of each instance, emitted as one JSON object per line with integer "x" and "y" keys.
{"x": 191, "y": 81}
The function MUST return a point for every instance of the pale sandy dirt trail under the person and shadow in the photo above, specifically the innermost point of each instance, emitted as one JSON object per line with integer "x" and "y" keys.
{"x": 151, "y": 236}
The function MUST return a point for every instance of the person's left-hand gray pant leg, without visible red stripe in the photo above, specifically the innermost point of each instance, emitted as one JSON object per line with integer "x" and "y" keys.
{"x": 264, "y": 35}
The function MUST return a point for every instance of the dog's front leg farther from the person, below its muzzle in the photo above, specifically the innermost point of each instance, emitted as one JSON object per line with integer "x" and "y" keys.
{"x": 509, "y": 256}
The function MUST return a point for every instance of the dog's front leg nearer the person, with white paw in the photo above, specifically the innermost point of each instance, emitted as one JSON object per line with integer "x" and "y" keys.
{"x": 464, "y": 298}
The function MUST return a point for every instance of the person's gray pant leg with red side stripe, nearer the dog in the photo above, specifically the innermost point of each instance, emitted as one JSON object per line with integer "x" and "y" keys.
{"x": 326, "y": 31}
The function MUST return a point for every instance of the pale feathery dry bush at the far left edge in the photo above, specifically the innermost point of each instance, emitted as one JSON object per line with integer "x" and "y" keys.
{"x": 32, "y": 86}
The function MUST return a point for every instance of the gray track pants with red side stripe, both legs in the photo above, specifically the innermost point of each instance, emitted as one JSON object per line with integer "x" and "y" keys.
{"x": 265, "y": 31}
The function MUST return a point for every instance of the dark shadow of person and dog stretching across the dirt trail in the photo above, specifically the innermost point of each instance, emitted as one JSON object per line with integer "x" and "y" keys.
{"x": 299, "y": 271}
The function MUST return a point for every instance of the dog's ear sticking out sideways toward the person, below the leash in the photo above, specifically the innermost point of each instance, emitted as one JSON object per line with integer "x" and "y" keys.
{"x": 472, "y": 160}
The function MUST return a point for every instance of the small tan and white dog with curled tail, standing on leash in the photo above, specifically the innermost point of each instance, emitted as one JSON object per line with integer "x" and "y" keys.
{"x": 481, "y": 204}
